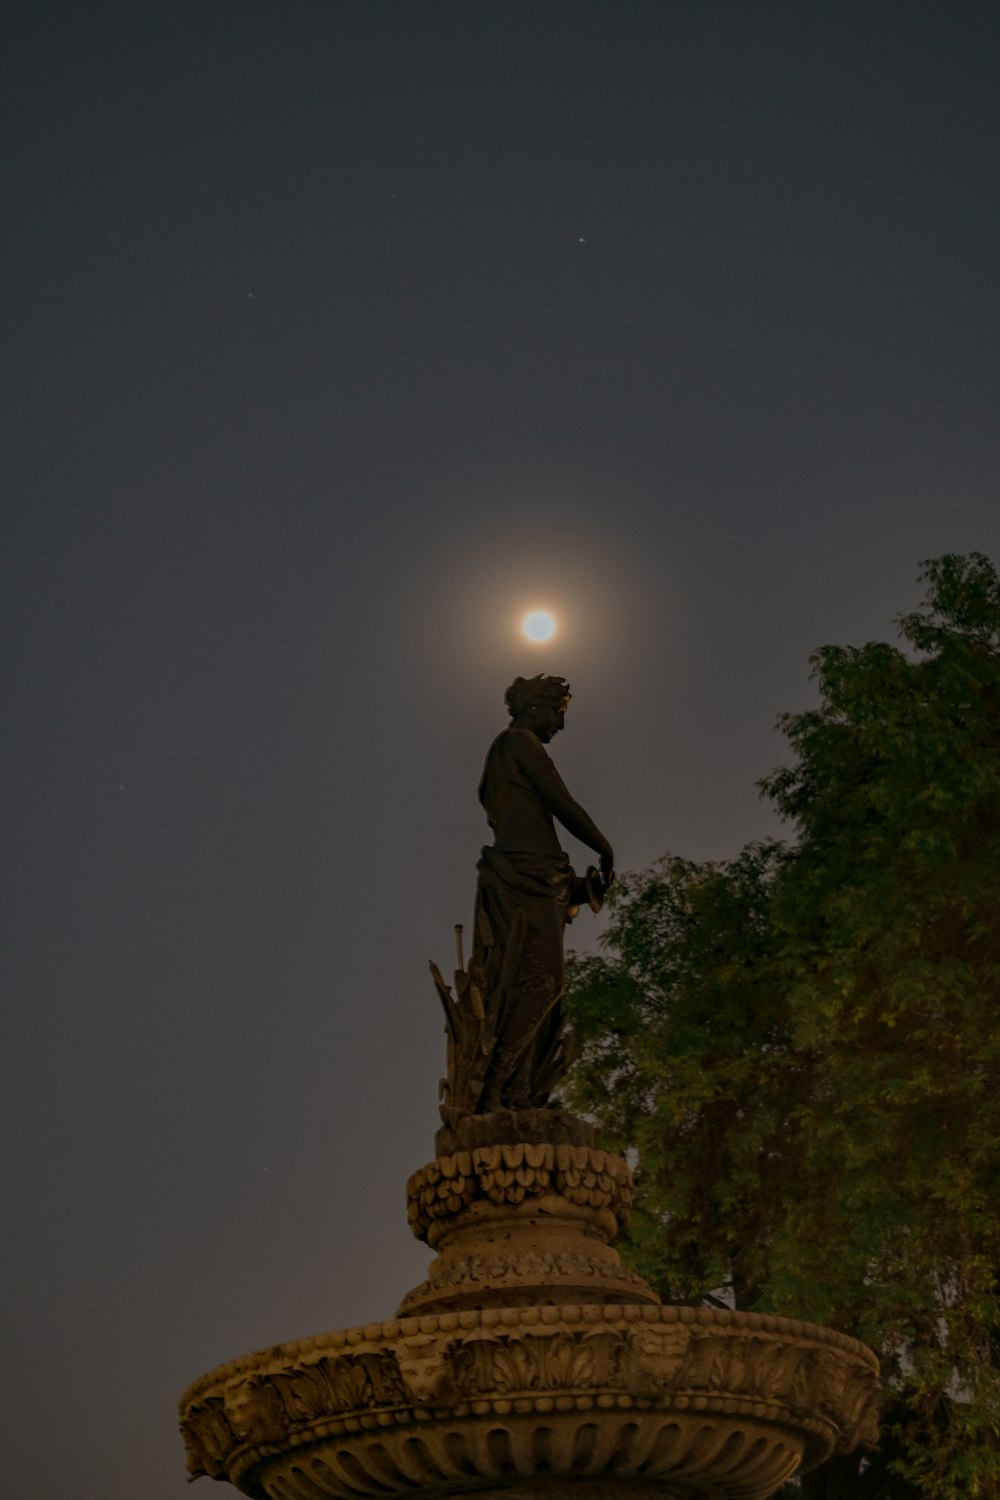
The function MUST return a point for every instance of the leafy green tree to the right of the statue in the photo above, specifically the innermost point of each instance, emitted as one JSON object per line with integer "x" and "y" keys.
{"x": 801, "y": 1046}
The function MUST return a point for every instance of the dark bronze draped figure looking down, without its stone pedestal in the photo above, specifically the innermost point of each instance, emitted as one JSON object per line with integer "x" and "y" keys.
{"x": 507, "y": 1040}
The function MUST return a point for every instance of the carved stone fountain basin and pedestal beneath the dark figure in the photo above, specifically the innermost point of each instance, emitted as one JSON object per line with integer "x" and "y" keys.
{"x": 533, "y": 1364}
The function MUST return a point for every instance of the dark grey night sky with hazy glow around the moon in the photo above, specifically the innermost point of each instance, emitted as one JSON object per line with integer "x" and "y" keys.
{"x": 335, "y": 337}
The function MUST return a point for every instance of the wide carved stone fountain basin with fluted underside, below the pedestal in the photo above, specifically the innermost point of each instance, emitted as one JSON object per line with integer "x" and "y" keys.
{"x": 638, "y": 1400}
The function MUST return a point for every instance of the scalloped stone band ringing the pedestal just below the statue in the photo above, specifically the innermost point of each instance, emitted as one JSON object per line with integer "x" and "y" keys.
{"x": 510, "y": 1175}
